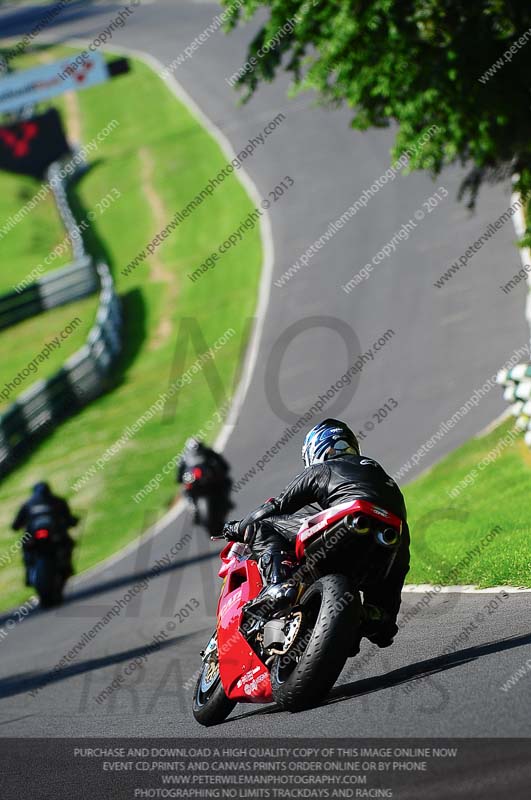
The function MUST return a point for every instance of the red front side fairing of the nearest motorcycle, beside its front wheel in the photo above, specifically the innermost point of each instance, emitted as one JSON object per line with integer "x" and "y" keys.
{"x": 244, "y": 677}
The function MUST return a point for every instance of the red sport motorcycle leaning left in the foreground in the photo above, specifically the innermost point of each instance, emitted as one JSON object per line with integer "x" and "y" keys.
{"x": 294, "y": 656}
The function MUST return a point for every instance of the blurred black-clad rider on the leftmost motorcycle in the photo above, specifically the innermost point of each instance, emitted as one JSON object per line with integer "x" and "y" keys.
{"x": 46, "y": 510}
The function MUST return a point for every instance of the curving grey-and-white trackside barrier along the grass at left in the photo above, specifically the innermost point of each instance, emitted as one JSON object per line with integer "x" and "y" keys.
{"x": 86, "y": 374}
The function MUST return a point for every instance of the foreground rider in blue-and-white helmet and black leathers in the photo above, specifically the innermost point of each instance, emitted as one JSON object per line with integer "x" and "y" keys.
{"x": 335, "y": 472}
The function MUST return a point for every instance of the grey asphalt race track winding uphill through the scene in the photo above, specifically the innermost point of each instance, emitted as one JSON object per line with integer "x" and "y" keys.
{"x": 431, "y": 365}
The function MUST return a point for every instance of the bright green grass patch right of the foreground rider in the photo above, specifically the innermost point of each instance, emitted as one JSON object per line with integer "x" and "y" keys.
{"x": 444, "y": 530}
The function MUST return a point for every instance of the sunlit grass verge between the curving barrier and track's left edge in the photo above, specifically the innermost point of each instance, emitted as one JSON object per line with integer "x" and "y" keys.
{"x": 156, "y": 303}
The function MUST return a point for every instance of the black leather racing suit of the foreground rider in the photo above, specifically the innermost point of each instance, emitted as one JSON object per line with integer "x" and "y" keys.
{"x": 336, "y": 481}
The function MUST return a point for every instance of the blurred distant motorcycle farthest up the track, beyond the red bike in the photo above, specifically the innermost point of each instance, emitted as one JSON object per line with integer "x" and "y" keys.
{"x": 209, "y": 496}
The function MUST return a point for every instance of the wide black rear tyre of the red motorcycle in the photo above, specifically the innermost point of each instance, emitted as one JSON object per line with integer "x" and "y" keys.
{"x": 331, "y": 612}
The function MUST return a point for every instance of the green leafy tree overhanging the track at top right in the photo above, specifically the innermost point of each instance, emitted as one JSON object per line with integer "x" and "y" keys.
{"x": 463, "y": 66}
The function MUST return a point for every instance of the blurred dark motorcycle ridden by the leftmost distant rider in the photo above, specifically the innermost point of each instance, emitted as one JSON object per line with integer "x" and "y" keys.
{"x": 46, "y": 570}
